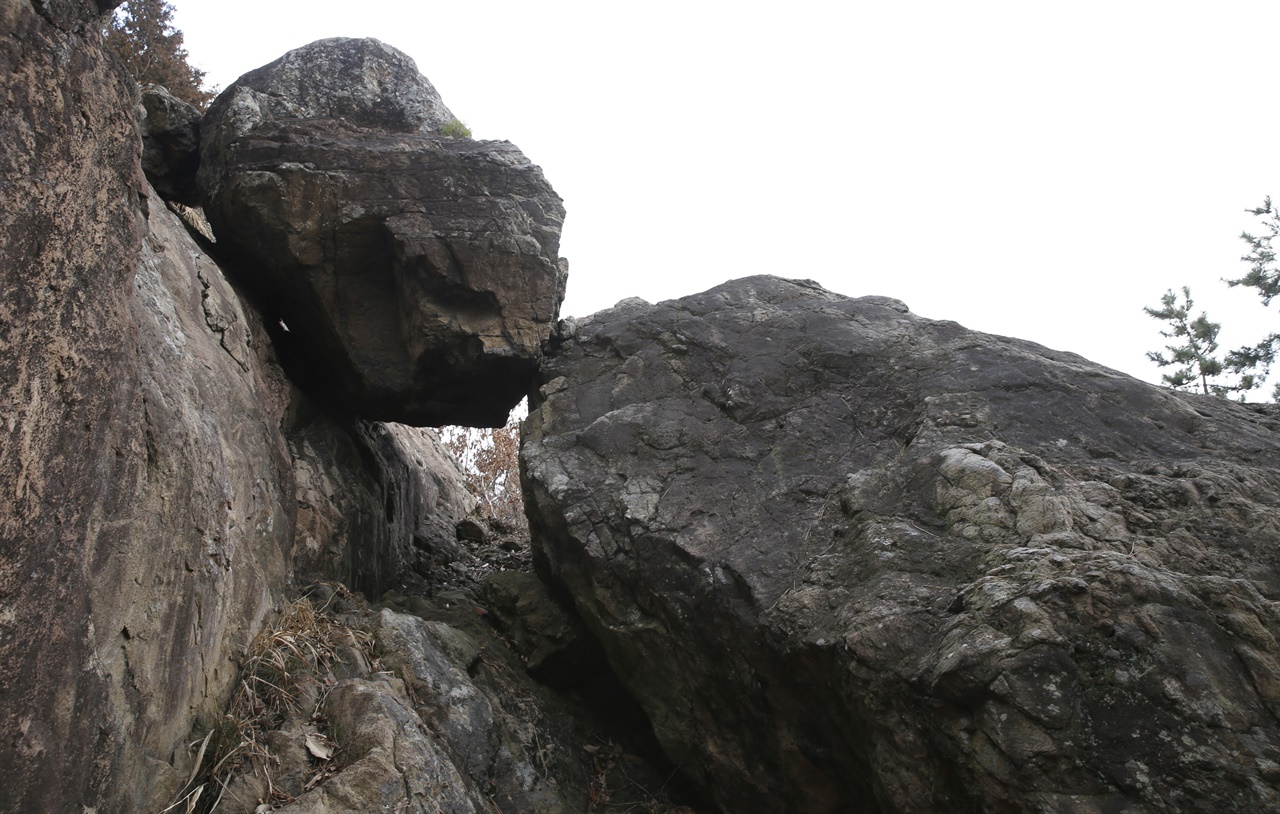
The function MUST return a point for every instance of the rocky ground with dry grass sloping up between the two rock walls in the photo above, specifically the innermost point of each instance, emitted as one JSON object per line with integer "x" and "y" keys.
{"x": 469, "y": 689}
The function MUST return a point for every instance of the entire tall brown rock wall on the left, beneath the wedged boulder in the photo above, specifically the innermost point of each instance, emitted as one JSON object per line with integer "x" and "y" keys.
{"x": 150, "y": 451}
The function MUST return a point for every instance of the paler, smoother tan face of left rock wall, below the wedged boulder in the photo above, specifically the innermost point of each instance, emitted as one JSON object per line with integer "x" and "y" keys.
{"x": 194, "y": 548}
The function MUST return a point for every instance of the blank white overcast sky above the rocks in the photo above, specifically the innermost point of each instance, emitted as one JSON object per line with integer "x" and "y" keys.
{"x": 1040, "y": 171}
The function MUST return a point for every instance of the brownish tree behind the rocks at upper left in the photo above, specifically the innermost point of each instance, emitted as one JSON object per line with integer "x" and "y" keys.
{"x": 143, "y": 36}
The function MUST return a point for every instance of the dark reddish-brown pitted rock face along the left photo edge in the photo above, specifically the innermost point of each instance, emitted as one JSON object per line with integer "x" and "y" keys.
{"x": 71, "y": 232}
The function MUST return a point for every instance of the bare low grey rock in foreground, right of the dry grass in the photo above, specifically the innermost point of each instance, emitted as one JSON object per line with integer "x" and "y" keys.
{"x": 442, "y": 717}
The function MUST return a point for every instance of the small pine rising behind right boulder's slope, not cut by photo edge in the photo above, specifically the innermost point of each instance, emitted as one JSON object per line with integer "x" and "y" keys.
{"x": 1194, "y": 356}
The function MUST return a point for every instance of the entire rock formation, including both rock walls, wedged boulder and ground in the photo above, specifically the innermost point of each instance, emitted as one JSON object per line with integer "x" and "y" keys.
{"x": 842, "y": 557}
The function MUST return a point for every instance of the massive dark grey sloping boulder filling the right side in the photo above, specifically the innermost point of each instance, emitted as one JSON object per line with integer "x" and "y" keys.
{"x": 854, "y": 560}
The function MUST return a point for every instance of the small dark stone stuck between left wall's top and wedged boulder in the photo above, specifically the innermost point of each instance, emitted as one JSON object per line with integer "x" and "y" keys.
{"x": 171, "y": 144}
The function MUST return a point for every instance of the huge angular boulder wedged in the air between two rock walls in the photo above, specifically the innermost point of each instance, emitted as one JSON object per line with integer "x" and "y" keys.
{"x": 418, "y": 275}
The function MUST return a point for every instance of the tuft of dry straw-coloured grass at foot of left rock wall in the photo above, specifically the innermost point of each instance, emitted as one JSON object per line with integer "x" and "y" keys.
{"x": 282, "y": 662}
